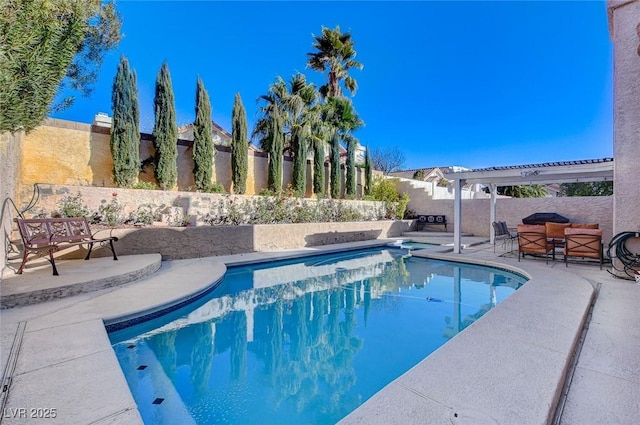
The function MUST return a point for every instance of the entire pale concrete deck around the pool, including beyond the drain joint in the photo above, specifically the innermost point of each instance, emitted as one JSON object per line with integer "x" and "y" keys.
{"x": 509, "y": 367}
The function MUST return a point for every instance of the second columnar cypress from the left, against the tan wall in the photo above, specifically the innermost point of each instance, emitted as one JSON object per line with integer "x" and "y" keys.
{"x": 165, "y": 131}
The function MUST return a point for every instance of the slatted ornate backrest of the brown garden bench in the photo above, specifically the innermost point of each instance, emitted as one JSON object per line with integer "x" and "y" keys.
{"x": 35, "y": 231}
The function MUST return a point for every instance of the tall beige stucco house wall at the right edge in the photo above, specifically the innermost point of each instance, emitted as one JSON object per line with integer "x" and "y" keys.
{"x": 624, "y": 20}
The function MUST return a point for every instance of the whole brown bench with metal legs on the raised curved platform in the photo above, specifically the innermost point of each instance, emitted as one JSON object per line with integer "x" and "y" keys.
{"x": 44, "y": 236}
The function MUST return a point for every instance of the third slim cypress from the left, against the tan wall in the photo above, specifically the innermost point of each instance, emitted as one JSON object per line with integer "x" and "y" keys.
{"x": 203, "y": 149}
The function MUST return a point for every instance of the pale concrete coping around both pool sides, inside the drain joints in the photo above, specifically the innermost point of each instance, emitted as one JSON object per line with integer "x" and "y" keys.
{"x": 66, "y": 361}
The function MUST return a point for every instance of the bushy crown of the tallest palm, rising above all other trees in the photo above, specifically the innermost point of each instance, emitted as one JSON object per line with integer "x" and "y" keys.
{"x": 335, "y": 54}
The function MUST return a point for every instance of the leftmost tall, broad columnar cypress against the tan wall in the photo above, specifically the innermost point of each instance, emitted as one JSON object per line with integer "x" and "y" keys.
{"x": 125, "y": 134}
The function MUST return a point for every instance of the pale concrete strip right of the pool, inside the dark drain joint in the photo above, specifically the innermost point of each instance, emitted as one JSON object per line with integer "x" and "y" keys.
{"x": 505, "y": 368}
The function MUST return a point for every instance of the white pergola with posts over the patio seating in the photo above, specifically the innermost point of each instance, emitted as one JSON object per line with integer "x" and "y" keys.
{"x": 552, "y": 172}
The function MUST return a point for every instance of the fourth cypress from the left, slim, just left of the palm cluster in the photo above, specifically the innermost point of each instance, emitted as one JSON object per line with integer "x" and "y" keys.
{"x": 239, "y": 147}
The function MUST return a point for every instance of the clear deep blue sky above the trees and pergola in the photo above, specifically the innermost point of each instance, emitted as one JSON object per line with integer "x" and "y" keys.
{"x": 475, "y": 84}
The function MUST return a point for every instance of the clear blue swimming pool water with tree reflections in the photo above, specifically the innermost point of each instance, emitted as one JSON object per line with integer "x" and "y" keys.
{"x": 302, "y": 342}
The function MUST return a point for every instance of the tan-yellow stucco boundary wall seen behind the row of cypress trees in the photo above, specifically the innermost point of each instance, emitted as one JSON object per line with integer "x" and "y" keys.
{"x": 69, "y": 153}
